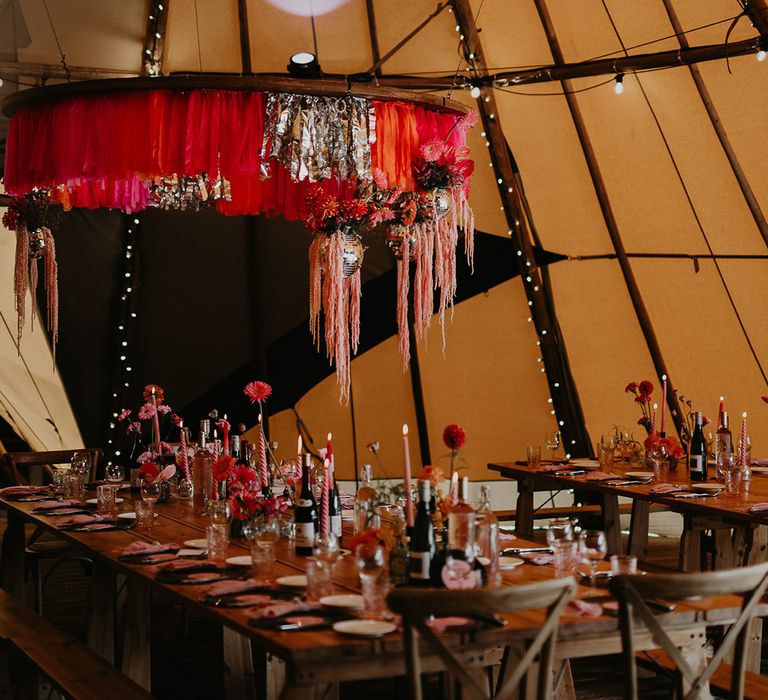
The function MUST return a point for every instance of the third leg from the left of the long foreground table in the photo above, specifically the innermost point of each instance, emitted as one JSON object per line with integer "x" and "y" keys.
{"x": 135, "y": 662}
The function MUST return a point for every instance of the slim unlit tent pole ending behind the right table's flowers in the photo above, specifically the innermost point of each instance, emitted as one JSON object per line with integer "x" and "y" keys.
{"x": 610, "y": 220}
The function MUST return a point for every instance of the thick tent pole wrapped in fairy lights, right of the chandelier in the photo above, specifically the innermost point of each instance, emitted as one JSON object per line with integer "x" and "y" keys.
{"x": 565, "y": 400}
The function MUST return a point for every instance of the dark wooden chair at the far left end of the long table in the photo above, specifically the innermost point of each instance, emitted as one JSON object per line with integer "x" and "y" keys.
{"x": 15, "y": 468}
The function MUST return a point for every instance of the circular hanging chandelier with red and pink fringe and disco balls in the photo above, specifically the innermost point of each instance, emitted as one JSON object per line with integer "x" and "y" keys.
{"x": 341, "y": 156}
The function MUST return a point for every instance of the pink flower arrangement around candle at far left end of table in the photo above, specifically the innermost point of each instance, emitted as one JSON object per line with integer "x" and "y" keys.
{"x": 149, "y": 427}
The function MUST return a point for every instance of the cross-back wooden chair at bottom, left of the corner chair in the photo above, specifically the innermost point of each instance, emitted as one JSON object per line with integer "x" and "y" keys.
{"x": 416, "y": 606}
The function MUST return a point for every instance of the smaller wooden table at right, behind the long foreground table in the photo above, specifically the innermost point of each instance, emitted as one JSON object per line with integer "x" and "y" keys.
{"x": 739, "y": 538}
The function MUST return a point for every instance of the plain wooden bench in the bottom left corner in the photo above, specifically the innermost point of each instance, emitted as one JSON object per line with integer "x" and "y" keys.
{"x": 70, "y": 666}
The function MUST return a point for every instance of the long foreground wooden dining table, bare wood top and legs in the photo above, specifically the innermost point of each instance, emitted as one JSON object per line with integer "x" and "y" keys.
{"x": 312, "y": 659}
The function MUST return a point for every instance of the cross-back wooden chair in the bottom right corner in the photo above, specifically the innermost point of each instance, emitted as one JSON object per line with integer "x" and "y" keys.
{"x": 749, "y": 583}
